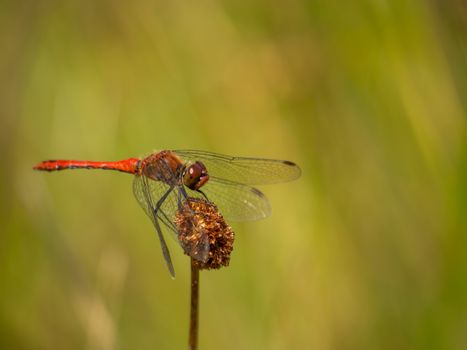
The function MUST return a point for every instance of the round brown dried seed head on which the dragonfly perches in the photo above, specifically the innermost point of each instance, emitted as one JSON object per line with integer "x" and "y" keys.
{"x": 196, "y": 218}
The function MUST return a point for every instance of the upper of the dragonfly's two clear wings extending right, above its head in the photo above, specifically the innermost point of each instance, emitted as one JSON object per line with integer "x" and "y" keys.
{"x": 248, "y": 171}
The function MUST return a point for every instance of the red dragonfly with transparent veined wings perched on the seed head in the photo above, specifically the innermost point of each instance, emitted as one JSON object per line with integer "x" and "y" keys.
{"x": 164, "y": 179}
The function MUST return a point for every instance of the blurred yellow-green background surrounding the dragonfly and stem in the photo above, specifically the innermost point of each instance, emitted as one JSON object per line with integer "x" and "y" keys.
{"x": 365, "y": 251}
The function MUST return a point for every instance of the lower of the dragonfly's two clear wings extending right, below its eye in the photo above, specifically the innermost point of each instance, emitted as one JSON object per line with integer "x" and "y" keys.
{"x": 236, "y": 202}
